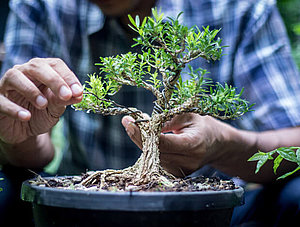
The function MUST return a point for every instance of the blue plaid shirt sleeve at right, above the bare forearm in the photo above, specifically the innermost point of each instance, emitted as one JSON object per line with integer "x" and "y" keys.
{"x": 264, "y": 67}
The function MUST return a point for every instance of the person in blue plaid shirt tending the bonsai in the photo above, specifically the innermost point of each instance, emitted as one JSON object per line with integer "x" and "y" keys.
{"x": 52, "y": 45}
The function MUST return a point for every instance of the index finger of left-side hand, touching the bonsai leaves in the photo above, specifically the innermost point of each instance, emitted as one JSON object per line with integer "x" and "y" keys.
{"x": 64, "y": 71}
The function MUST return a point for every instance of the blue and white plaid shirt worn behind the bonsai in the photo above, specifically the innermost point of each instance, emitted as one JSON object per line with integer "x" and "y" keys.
{"x": 258, "y": 59}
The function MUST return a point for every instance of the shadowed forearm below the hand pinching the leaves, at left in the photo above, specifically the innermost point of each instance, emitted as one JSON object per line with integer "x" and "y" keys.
{"x": 35, "y": 152}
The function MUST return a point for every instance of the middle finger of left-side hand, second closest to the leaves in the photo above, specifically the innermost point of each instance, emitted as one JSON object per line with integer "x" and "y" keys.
{"x": 38, "y": 70}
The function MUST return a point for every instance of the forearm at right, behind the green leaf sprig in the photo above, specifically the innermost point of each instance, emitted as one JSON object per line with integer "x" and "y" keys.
{"x": 243, "y": 144}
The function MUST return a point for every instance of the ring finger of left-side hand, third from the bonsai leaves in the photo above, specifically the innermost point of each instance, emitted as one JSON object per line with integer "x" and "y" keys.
{"x": 15, "y": 80}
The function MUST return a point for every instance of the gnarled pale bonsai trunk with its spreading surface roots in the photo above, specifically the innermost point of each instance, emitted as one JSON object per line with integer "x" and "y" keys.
{"x": 147, "y": 170}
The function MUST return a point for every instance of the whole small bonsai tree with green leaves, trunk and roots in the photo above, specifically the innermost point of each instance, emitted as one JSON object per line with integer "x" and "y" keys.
{"x": 167, "y": 47}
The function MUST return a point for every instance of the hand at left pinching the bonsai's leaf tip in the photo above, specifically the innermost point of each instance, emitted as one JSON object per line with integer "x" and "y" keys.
{"x": 33, "y": 96}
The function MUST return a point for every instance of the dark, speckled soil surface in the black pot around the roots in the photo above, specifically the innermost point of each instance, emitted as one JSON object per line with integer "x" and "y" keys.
{"x": 187, "y": 184}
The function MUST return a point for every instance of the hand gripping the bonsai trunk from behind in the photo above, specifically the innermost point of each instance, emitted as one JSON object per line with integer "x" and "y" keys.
{"x": 193, "y": 142}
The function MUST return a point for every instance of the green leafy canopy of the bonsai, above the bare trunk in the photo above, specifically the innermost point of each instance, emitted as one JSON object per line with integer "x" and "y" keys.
{"x": 167, "y": 47}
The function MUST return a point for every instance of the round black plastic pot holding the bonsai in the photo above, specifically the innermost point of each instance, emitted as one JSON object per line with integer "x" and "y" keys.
{"x": 59, "y": 207}
